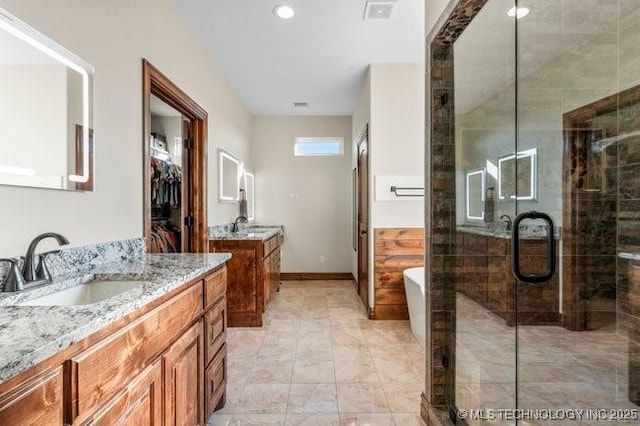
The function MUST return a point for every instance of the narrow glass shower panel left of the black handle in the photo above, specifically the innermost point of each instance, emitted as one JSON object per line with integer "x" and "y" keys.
{"x": 483, "y": 289}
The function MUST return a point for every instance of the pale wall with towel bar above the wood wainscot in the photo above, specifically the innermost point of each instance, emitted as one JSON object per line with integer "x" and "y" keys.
{"x": 392, "y": 103}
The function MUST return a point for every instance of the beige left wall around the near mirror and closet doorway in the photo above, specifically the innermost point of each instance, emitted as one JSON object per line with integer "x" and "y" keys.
{"x": 114, "y": 36}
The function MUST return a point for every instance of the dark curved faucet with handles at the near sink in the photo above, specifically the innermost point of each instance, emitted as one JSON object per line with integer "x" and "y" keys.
{"x": 34, "y": 271}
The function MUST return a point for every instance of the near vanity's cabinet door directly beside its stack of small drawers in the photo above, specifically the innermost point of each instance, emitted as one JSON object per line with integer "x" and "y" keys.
{"x": 183, "y": 376}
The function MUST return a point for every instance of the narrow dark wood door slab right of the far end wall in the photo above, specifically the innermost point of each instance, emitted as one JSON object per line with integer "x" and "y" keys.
{"x": 363, "y": 218}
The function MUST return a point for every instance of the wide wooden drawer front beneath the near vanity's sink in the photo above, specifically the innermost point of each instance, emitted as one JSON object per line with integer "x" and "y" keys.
{"x": 98, "y": 373}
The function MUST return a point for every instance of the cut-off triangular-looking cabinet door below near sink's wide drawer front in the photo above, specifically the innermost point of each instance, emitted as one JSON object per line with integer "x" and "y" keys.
{"x": 140, "y": 404}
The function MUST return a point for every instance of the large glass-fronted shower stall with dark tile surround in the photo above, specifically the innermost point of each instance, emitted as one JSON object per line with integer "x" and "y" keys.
{"x": 533, "y": 219}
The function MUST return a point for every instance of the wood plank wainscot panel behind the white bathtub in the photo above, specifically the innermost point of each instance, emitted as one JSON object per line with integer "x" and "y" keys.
{"x": 395, "y": 249}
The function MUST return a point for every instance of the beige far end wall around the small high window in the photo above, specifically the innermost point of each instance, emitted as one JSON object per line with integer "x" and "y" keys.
{"x": 310, "y": 196}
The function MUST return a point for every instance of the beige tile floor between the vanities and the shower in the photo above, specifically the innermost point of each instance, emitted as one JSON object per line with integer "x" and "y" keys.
{"x": 319, "y": 361}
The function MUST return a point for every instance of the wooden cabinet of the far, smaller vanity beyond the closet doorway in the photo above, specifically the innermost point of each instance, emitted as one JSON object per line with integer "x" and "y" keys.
{"x": 253, "y": 277}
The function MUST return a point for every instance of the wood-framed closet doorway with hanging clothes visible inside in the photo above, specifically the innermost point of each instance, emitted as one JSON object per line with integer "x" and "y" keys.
{"x": 174, "y": 166}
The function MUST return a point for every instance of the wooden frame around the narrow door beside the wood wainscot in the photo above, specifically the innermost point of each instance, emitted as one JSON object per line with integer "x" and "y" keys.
{"x": 363, "y": 288}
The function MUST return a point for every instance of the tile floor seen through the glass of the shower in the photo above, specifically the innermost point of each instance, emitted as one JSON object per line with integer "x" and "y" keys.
{"x": 557, "y": 368}
